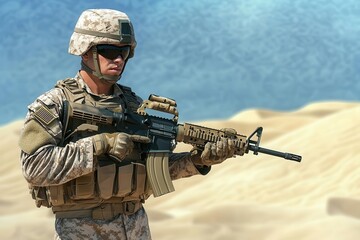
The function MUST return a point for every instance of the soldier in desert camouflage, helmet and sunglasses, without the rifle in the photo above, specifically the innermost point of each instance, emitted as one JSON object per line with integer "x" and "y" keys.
{"x": 95, "y": 182}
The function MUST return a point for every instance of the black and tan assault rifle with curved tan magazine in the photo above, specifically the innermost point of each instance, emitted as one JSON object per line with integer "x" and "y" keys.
{"x": 164, "y": 133}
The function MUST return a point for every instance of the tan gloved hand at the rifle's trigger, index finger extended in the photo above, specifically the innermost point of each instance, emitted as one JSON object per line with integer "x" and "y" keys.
{"x": 117, "y": 145}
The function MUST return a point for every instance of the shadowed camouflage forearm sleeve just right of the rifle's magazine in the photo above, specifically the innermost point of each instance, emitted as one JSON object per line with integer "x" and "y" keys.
{"x": 181, "y": 166}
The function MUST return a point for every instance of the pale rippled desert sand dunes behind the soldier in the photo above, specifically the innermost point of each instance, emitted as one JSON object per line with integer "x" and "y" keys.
{"x": 248, "y": 197}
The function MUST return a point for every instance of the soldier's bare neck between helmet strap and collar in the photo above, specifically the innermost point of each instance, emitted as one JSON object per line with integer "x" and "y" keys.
{"x": 97, "y": 85}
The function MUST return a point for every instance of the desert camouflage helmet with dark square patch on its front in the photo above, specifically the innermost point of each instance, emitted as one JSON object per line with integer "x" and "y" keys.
{"x": 102, "y": 26}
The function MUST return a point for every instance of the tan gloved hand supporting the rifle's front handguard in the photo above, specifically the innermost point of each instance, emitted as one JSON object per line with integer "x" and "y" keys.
{"x": 215, "y": 153}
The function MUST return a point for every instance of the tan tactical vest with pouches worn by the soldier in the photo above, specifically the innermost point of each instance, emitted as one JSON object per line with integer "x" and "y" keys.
{"x": 112, "y": 184}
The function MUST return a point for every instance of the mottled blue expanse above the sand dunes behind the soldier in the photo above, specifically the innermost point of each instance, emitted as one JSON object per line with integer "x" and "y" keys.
{"x": 215, "y": 58}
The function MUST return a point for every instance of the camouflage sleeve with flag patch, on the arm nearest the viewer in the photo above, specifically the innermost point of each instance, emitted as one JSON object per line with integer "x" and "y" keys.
{"x": 44, "y": 162}
